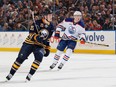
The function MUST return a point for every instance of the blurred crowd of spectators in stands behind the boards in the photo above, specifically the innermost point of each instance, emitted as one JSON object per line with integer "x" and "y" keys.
{"x": 15, "y": 15}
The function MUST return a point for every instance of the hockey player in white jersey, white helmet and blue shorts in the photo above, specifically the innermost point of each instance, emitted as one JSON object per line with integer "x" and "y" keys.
{"x": 74, "y": 30}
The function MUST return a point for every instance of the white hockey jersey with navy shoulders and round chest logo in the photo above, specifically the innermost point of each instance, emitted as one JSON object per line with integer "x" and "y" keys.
{"x": 70, "y": 30}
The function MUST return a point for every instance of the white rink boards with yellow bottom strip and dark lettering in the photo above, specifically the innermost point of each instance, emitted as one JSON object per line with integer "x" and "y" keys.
{"x": 12, "y": 41}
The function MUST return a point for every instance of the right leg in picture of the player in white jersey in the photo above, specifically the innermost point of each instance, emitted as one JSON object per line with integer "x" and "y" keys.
{"x": 70, "y": 48}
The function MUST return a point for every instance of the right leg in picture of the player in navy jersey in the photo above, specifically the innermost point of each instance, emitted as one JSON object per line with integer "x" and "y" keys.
{"x": 38, "y": 54}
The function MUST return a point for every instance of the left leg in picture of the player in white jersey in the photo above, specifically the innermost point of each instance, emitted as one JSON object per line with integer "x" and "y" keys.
{"x": 60, "y": 48}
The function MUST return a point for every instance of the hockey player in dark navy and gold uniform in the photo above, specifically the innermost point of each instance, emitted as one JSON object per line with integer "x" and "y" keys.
{"x": 37, "y": 42}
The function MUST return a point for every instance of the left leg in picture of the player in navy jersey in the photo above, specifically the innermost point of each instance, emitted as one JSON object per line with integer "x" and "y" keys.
{"x": 22, "y": 56}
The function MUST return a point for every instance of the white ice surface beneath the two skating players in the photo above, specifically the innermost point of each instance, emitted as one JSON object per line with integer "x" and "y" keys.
{"x": 82, "y": 70}
